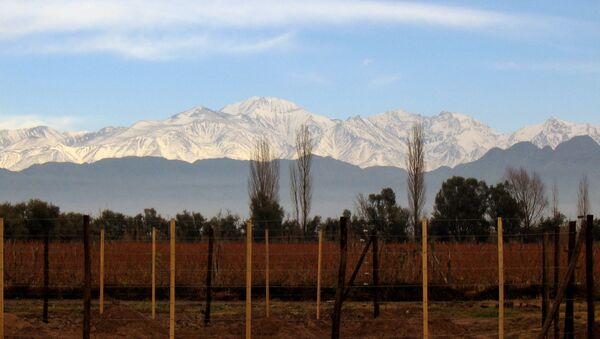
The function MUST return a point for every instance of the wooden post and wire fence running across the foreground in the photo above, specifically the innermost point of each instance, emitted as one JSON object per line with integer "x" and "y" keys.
{"x": 428, "y": 261}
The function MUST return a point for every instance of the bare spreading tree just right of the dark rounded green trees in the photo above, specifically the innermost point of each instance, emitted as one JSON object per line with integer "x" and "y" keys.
{"x": 529, "y": 191}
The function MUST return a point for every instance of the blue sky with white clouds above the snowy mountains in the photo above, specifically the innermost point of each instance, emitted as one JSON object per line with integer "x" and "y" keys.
{"x": 84, "y": 65}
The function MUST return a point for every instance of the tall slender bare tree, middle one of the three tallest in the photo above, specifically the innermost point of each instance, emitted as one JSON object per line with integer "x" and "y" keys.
{"x": 301, "y": 178}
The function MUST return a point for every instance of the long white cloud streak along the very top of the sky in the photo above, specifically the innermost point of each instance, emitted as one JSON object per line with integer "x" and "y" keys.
{"x": 20, "y": 18}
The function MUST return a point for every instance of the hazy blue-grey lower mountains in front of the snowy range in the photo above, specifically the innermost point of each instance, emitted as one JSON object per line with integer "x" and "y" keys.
{"x": 131, "y": 184}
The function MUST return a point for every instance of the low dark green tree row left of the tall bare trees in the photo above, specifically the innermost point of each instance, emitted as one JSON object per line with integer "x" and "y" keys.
{"x": 30, "y": 220}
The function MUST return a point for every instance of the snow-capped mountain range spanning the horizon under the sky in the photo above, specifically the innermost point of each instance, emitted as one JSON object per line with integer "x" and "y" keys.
{"x": 231, "y": 132}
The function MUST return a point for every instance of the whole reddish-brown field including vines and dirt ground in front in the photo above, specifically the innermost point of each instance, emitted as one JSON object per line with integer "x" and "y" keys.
{"x": 462, "y": 276}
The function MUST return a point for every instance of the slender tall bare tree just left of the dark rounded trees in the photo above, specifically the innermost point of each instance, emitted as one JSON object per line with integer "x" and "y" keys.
{"x": 415, "y": 166}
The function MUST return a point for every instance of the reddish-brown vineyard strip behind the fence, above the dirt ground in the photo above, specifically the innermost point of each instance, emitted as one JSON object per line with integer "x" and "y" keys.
{"x": 466, "y": 267}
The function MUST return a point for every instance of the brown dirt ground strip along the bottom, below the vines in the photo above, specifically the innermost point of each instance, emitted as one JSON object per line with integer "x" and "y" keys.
{"x": 288, "y": 320}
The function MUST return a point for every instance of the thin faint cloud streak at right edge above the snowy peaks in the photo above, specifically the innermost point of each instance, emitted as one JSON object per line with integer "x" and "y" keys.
{"x": 569, "y": 67}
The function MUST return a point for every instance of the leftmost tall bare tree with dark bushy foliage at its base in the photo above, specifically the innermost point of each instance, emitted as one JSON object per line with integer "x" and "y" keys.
{"x": 263, "y": 185}
